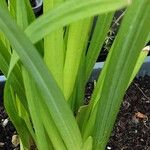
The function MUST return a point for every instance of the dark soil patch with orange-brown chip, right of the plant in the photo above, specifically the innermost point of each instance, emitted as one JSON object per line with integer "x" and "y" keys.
{"x": 132, "y": 128}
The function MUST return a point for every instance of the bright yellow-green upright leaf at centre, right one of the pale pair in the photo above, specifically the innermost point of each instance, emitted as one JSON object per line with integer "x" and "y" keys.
{"x": 78, "y": 35}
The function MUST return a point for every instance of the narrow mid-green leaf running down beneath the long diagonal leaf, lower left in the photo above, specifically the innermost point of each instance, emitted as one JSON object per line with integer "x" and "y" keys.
{"x": 34, "y": 108}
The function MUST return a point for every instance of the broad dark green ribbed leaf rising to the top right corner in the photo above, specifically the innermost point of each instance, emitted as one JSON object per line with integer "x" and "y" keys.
{"x": 119, "y": 67}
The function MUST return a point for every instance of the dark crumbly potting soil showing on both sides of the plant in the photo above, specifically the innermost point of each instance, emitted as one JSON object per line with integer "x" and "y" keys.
{"x": 132, "y": 128}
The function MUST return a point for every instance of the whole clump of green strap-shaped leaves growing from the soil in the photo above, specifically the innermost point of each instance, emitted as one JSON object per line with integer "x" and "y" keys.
{"x": 48, "y": 61}
